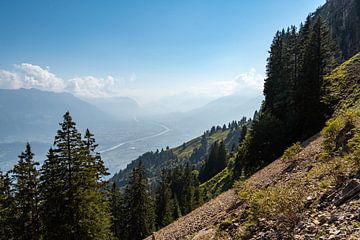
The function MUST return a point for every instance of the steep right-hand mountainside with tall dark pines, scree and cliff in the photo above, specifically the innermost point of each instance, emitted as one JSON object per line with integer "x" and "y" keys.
{"x": 303, "y": 89}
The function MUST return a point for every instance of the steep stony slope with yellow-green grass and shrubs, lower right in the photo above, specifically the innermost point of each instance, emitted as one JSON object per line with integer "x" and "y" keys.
{"x": 311, "y": 192}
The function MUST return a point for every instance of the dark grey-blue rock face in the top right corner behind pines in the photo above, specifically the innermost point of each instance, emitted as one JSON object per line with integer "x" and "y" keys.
{"x": 344, "y": 19}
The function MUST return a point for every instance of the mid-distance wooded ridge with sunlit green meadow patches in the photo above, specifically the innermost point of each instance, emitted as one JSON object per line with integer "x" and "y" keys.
{"x": 193, "y": 152}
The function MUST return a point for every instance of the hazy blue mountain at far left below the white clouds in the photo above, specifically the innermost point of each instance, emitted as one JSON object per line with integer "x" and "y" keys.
{"x": 32, "y": 114}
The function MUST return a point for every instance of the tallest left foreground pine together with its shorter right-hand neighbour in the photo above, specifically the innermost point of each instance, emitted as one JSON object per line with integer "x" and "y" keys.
{"x": 72, "y": 205}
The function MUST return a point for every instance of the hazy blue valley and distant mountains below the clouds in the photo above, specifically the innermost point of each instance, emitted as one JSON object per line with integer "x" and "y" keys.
{"x": 32, "y": 115}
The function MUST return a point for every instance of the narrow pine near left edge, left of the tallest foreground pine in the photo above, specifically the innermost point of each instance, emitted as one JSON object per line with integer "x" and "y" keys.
{"x": 27, "y": 195}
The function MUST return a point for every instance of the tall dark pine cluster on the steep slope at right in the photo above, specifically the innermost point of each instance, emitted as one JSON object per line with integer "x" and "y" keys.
{"x": 294, "y": 89}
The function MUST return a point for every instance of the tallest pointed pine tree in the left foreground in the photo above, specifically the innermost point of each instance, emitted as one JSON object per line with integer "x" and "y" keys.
{"x": 66, "y": 162}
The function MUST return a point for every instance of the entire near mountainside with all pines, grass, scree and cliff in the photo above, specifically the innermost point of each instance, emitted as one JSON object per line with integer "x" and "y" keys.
{"x": 293, "y": 168}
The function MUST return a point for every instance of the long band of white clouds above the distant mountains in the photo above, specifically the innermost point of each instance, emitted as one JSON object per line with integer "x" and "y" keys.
{"x": 28, "y": 75}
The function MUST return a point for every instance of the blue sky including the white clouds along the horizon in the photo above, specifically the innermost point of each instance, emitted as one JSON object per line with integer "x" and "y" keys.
{"x": 143, "y": 48}
